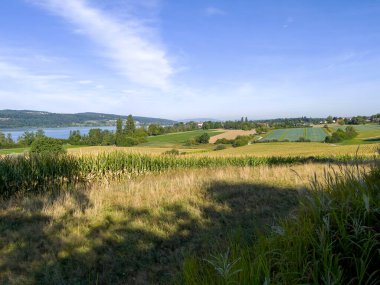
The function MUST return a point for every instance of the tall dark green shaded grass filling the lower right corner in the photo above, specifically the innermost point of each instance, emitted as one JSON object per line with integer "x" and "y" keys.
{"x": 333, "y": 239}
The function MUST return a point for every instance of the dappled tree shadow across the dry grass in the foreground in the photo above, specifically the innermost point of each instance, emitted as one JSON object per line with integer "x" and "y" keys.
{"x": 120, "y": 248}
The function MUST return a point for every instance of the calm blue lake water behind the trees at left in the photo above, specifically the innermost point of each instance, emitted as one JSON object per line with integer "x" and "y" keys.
{"x": 58, "y": 133}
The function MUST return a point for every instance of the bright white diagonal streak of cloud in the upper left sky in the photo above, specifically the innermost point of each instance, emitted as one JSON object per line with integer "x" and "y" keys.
{"x": 127, "y": 44}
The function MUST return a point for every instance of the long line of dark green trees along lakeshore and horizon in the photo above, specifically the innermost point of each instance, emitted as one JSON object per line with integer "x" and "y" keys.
{"x": 127, "y": 134}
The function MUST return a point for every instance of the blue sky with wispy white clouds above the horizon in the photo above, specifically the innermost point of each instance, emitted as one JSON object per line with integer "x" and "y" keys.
{"x": 182, "y": 59}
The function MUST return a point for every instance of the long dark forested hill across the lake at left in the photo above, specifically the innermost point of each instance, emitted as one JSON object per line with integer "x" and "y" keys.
{"x": 40, "y": 119}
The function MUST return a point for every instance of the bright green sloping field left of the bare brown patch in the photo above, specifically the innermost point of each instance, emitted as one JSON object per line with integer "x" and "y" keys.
{"x": 174, "y": 139}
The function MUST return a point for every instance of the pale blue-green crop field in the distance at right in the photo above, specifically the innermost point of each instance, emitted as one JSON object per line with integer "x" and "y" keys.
{"x": 313, "y": 134}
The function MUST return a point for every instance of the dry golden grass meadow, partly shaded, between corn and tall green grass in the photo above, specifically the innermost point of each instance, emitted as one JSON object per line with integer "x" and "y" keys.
{"x": 138, "y": 231}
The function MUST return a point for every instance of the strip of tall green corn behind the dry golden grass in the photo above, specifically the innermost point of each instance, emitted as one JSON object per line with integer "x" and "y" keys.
{"x": 34, "y": 173}
